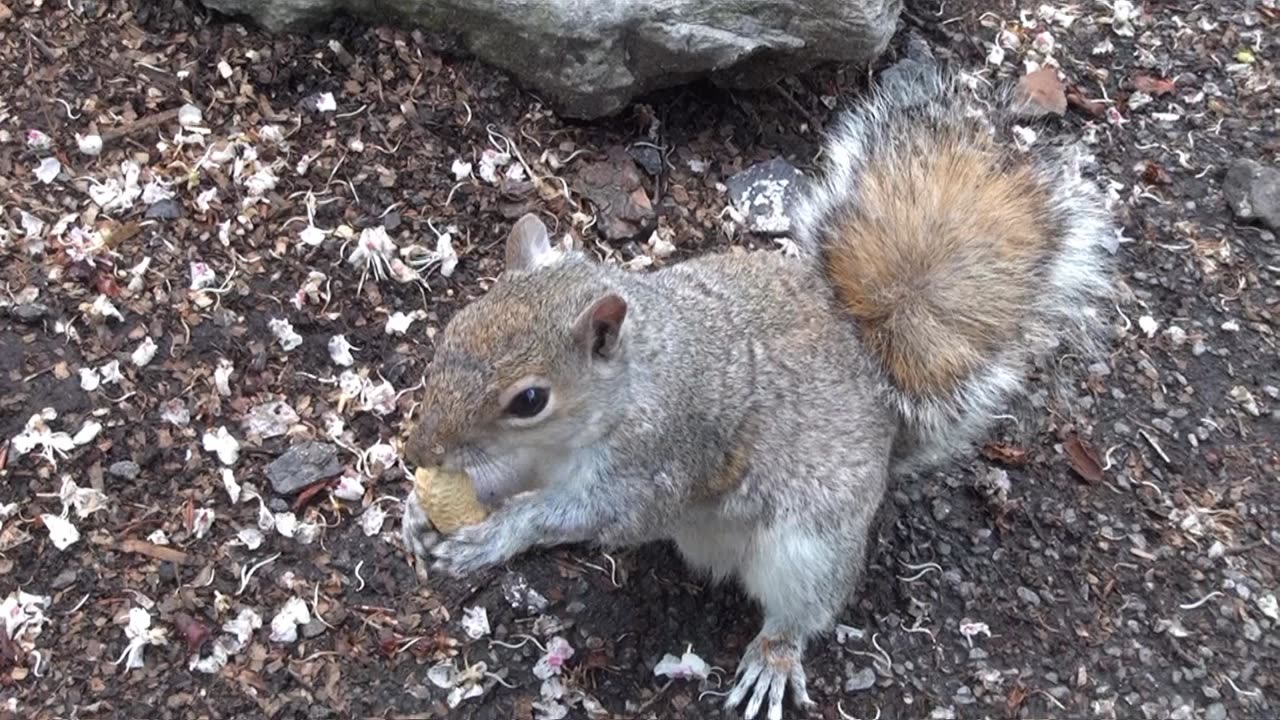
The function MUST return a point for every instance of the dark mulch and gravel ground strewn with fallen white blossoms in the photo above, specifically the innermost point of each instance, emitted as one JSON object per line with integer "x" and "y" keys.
{"x": 1128, "y": 568}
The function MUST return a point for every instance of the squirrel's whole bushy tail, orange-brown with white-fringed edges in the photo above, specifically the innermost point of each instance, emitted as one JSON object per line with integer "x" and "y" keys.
{"x": 961, "y": 257}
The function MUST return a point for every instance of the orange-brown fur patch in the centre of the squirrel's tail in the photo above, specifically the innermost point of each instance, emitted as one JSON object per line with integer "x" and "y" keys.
{"x": 940, "y": 258}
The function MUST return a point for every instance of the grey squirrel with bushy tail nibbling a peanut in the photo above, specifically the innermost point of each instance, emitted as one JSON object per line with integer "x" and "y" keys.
{"x": 755, "y": 407}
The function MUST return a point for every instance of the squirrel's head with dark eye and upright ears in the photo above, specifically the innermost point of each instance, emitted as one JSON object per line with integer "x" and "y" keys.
{"x": 525, "y": 377}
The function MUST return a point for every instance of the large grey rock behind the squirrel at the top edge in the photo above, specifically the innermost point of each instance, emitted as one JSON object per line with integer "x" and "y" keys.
{"x": 592, "y": 58}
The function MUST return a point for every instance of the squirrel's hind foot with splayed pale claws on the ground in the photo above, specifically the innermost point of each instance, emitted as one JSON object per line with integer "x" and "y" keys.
{"x": 767, "y": 668}
